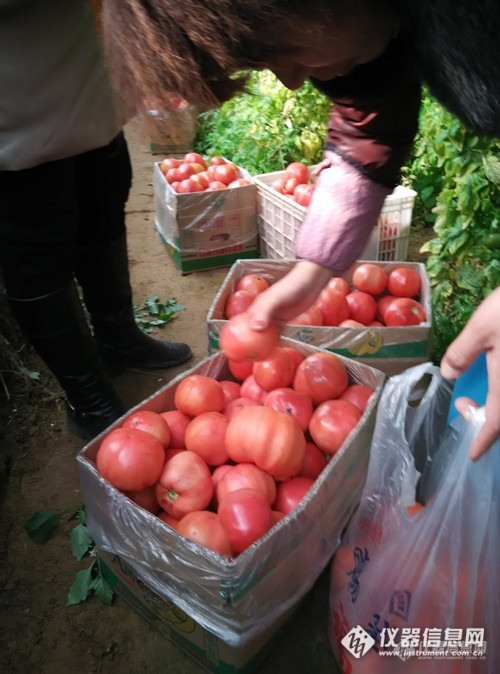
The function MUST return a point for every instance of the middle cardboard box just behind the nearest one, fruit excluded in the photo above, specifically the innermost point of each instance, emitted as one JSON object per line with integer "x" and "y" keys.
{"x": 390, "y": 350}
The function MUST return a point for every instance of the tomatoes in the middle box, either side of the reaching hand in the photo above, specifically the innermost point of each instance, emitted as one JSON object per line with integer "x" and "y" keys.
{"x": 374, "y": 298}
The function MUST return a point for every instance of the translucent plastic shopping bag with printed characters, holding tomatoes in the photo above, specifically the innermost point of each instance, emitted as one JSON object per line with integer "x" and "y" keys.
{"x": 415, "y": 589}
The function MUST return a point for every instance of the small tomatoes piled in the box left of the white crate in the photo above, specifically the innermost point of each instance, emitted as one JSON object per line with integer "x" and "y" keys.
{"x": 193, "y": 173}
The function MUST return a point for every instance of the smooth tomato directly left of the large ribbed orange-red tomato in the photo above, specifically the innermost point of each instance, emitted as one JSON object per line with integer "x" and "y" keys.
{"x": 205, "y": 436}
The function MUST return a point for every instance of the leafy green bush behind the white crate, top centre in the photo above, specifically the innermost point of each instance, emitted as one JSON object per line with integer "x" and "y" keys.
{"x": 268, "y": 127}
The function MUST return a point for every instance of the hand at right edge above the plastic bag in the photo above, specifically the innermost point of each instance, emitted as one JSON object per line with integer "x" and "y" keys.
{"x": 482, "y": 333}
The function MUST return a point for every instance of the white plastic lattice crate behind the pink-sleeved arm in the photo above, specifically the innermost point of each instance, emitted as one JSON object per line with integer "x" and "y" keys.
{"x": 279, "y": 218}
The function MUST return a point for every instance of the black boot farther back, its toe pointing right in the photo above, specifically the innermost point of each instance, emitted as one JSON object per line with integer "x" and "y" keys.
{"x": 104, "y": 278}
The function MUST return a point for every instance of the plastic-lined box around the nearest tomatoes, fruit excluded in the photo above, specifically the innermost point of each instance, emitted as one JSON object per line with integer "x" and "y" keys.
{"x": 242, "y": 600}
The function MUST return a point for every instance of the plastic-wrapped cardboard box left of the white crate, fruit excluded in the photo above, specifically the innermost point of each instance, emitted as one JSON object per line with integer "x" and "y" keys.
{"x": 203, "y": 230}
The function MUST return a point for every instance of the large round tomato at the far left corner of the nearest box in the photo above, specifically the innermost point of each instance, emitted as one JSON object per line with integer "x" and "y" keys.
{"x": 130, "y": 459}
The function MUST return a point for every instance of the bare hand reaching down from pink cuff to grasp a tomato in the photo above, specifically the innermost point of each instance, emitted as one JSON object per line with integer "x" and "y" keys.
{"x": 289, "y": 296}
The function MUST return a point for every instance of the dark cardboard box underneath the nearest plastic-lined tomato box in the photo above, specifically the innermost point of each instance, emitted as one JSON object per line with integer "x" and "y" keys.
{"x": 208, "y": 650}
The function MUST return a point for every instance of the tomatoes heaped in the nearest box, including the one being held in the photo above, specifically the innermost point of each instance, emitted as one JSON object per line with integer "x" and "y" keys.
{"x": 235, "y": 456}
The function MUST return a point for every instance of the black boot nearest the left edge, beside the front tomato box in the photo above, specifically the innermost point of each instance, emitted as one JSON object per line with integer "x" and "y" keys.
{"x": 55, "y": 325}
